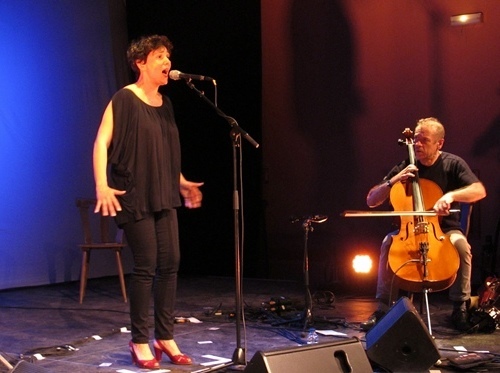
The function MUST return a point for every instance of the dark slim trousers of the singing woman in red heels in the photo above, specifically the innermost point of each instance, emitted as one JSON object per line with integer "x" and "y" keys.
{"x": 154, "y": 242}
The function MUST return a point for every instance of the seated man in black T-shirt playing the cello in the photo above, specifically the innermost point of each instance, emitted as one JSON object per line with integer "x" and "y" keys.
{"x": 458, "y": 184}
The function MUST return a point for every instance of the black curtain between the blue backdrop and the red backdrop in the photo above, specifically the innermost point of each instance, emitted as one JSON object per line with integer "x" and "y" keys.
{"x": 220, "y": 39}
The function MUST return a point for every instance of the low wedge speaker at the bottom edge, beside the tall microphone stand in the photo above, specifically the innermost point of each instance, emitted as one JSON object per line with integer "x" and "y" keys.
{"x": 341, "y": 356}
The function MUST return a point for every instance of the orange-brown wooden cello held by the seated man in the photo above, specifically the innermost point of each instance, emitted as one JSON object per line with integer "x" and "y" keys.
{"x": 421, "y": 256}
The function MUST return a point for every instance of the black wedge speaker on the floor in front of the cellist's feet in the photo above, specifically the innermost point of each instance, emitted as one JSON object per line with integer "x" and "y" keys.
{"x": 400, "y": 341}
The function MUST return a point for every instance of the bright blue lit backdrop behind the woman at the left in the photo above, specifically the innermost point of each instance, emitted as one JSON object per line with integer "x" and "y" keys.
{"x": 56, "y": 76}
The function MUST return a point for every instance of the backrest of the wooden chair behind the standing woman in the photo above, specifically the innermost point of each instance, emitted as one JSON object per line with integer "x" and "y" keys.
{"x": 86, "y": 209}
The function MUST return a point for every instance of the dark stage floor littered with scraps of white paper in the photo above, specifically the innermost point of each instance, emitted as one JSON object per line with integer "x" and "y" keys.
{"x": 49, "y": 331}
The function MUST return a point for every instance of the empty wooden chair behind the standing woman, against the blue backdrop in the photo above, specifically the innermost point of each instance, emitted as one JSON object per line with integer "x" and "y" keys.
{"x": 103, "y": 242}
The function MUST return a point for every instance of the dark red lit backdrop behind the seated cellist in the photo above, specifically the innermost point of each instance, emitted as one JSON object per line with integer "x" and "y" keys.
{"x": 347, "y": 78}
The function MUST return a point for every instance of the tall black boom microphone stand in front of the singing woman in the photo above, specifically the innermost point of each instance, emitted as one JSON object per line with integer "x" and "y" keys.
{"x": 239, "y": 358}
